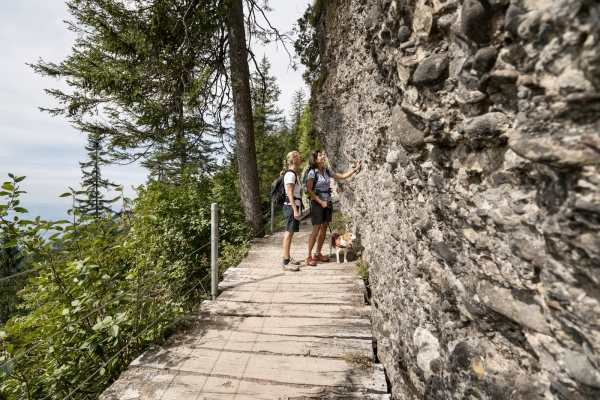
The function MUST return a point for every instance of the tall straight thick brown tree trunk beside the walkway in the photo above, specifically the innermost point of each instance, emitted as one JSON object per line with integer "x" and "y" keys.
{"x": 242, "y": 115}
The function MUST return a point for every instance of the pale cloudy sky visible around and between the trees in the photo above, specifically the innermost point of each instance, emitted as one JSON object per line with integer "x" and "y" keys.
{"x": 48, "y": 149}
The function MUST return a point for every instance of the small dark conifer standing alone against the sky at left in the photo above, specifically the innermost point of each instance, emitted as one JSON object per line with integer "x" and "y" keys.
{"x": 94, "y": 203}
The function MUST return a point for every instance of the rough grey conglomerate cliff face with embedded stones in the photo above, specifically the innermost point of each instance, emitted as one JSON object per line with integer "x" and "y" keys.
{"x": 479, "y": 205}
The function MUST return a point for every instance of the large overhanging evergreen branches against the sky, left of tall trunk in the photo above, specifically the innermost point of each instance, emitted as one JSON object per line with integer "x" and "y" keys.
{"x": 153, "y": 72}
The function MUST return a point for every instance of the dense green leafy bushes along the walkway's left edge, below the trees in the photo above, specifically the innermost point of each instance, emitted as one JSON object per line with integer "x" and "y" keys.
{"x": 102, "y": 290}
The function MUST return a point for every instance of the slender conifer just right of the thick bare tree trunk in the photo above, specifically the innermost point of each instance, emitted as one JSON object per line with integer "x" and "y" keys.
{"x": 267, "y": 119}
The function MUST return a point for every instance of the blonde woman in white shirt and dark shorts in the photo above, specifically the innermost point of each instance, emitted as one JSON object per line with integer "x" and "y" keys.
{"x": 291, "y": 206}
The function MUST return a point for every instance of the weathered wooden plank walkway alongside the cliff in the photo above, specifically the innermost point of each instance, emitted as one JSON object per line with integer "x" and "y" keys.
{"x": 271, "y": 334}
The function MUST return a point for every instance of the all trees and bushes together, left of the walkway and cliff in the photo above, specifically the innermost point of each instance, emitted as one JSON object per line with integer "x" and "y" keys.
{"x": 175, "y": 86}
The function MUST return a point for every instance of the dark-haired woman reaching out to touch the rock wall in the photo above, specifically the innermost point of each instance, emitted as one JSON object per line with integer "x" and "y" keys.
{"x": 321, "y": 207}
